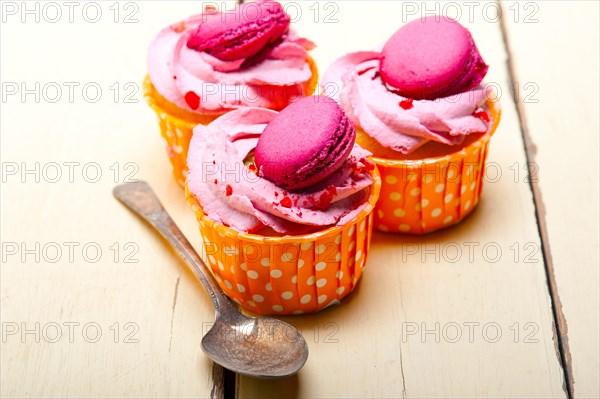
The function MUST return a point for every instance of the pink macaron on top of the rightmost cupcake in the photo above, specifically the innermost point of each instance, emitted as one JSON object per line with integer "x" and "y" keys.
{"x": 431, "y": 58}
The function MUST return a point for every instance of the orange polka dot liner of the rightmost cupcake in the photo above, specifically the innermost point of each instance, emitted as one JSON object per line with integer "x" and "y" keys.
{"x": 421, "y": 196}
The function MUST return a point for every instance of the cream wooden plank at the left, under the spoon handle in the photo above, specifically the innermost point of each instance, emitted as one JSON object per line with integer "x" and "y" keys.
{"x": 161, "y": 311}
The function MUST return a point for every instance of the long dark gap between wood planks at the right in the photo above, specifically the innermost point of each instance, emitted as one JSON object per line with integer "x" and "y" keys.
{"x": 560, "y": 327}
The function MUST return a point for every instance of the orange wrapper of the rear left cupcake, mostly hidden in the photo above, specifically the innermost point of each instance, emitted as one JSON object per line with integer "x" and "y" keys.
{"x": 176, "y": 124}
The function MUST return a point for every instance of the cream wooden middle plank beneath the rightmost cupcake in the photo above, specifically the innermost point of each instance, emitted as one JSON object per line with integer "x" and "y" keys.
{"x": 378, "y": 344}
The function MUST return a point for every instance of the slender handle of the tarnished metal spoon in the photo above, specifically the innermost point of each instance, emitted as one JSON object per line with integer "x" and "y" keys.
{"x": 140, "y": 198}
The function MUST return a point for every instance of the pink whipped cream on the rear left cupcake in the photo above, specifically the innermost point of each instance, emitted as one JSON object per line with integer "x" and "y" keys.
{"x": 201, "y": 83}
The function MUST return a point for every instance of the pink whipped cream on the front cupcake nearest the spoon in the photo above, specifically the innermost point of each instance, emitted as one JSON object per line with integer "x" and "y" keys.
{"x": 233, "y": 194}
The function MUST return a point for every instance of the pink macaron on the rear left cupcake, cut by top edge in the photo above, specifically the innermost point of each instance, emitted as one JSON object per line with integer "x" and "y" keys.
{"x": 241, "y": 33}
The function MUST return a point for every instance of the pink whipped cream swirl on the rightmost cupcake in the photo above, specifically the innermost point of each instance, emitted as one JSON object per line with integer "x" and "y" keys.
{"x": 397, "y": 122}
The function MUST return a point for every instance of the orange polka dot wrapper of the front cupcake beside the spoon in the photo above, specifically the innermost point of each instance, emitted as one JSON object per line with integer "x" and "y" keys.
{"x": 290, "y": 274}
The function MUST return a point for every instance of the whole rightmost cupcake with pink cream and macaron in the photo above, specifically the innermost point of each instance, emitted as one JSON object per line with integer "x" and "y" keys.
{"x": 419, "y": 105}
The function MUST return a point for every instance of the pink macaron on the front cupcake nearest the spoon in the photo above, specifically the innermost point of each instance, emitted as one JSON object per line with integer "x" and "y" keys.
{"x": 305, "y": 143}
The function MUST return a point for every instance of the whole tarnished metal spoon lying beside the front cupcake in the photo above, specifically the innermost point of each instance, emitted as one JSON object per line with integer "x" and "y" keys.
{"x": 265, "y": 347}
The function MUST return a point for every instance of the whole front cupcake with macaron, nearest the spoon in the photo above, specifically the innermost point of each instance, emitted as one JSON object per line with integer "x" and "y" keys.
{"x": 284, "y": 202}
